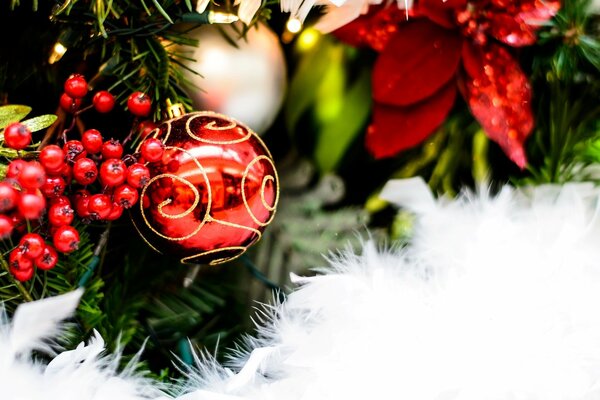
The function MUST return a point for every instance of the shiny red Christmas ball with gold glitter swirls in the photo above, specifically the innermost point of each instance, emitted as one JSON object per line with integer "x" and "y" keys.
{"x": 212, "y": 193}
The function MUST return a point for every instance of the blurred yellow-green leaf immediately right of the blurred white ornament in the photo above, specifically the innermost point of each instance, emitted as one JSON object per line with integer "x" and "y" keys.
{"x": 308, "y": 76}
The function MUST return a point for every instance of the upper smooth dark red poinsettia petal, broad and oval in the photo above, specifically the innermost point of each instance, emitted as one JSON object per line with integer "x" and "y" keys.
{"x": 420, "y": 59}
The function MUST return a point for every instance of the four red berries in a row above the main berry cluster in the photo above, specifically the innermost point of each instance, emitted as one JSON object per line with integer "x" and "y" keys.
{"x": 76, "y": 88}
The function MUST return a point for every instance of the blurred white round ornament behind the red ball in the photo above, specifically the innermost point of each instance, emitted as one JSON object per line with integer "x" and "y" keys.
{"x": 247, "y": 82}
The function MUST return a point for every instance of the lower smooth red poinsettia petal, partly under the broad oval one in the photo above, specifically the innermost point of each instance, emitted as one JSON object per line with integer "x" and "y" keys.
{"x": 399, "y": 128}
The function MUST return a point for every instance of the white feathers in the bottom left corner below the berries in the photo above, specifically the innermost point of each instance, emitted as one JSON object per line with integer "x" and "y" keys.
{"x": 79, "y": 374}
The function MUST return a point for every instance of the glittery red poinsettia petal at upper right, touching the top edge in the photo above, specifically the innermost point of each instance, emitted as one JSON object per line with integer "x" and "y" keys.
{"x": 519, "y": 27}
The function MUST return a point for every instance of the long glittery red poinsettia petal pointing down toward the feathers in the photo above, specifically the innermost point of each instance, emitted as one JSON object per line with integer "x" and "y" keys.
{"x": 500, "y": 99}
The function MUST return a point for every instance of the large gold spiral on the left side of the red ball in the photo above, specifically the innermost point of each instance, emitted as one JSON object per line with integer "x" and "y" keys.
{"x": 206, "y": 217}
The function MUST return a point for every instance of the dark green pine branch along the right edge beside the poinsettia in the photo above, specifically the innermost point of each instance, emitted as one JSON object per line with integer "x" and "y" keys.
{"x": 566, "y": 73}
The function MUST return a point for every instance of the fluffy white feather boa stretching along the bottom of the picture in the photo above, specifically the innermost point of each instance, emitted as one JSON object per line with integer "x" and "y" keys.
{"x": 495, "y": 298}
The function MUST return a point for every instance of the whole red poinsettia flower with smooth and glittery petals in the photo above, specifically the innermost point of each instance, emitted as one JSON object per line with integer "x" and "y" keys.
{"x": 443, "y": 46}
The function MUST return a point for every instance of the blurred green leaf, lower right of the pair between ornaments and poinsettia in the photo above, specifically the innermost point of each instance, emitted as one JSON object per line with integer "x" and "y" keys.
{"x": 339, "y": 132}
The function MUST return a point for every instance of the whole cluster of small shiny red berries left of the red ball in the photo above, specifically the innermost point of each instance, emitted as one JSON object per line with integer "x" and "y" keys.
{"x": 62, "y": 183}
